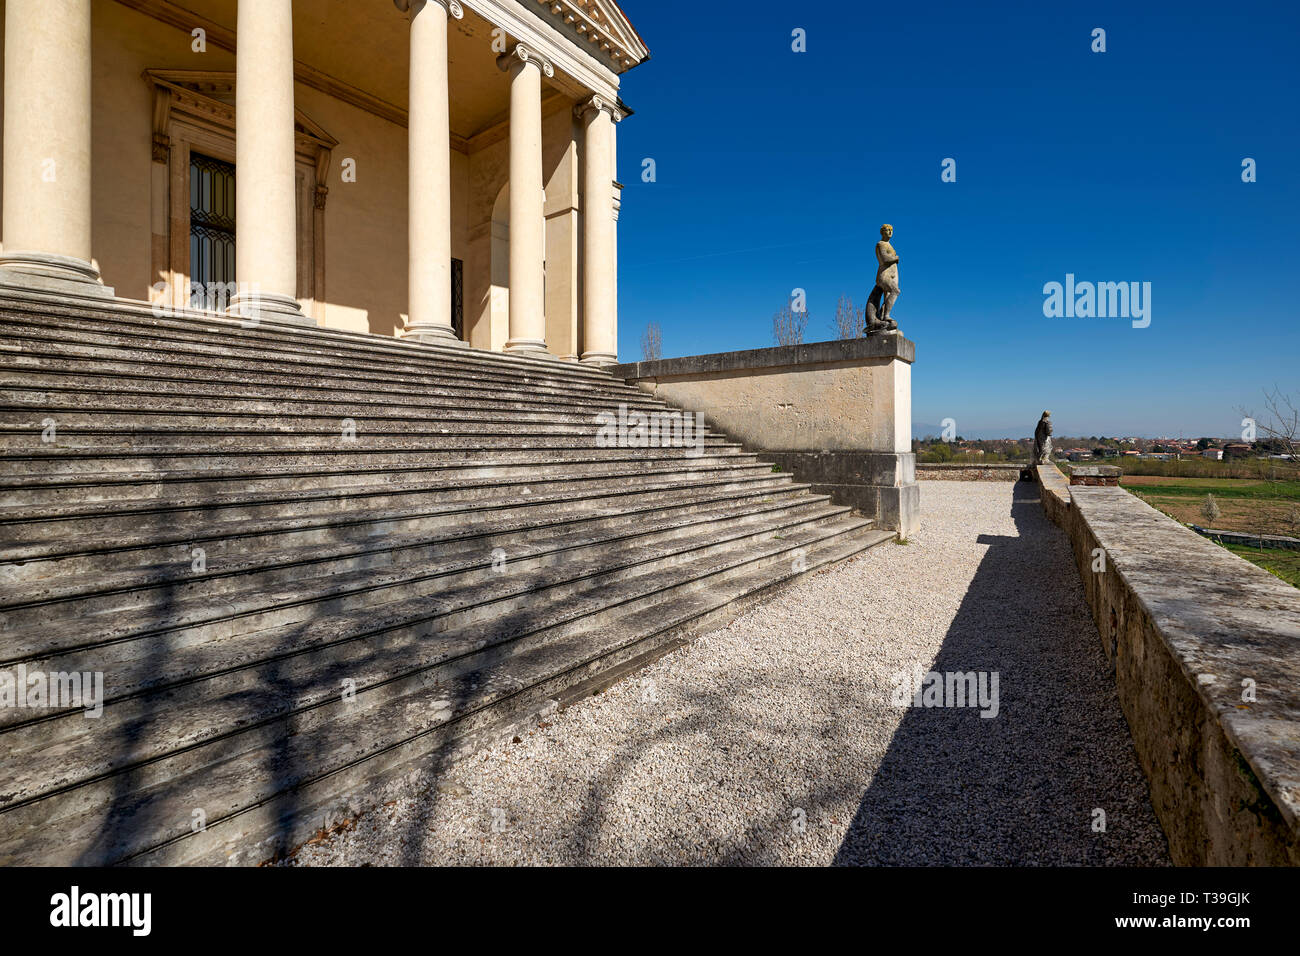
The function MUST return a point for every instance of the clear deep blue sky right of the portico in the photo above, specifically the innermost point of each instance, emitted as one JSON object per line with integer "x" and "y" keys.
{"x": 775, "y": 170}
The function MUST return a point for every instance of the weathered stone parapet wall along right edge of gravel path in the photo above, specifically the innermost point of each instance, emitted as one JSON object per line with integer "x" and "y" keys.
{"x": 1204, "y": 651}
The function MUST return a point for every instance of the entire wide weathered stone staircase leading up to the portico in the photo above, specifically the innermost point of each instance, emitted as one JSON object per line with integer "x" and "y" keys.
{"x": 287, "y": 616}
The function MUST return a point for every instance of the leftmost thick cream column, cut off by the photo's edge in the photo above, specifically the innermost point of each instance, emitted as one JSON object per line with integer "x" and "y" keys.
{"x": 47, "y": 144}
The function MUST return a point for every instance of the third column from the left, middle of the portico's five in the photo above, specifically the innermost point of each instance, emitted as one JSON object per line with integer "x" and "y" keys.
{"x": 430, "y": 175}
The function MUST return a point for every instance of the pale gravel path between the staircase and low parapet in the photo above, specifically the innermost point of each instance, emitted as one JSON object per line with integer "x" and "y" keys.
{"x": 774, "y": 741}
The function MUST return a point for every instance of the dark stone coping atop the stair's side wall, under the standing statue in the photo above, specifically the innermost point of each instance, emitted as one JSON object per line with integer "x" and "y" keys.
{"x": 781, "y": 357}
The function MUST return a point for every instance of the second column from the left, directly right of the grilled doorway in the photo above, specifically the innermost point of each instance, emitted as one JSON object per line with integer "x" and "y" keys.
{"x": 266, "y": 181}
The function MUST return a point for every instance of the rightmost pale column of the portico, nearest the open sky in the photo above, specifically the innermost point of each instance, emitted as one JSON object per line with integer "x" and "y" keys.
{"x": 600, "y": 293}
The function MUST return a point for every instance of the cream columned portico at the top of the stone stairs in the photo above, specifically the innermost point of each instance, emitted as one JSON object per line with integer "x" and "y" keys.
{"x": 437, "y": 170}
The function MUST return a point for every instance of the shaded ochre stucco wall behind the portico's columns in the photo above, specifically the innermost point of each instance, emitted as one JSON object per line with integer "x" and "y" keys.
{"x": 366, "y": 222}
